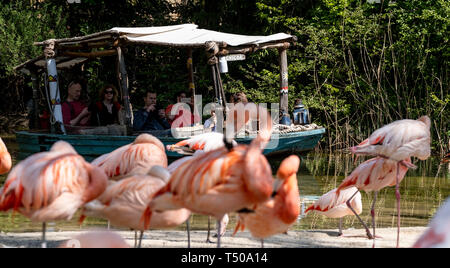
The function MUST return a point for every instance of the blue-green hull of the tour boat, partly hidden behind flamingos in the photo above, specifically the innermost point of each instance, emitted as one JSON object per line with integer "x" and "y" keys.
{"x": 92, "y": 146}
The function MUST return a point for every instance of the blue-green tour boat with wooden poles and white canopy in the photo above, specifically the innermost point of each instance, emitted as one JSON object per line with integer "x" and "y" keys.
{"x": 67, "y": 53}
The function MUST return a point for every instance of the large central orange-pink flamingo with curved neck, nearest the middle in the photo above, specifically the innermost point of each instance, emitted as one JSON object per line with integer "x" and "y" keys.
{"x": 220, "y": 181}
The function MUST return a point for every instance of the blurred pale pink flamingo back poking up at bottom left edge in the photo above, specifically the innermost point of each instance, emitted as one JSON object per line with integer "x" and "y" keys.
{"x": 96, "y": 240}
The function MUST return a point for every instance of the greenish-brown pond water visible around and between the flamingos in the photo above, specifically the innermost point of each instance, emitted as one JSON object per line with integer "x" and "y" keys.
{"x": 423, "y": 191}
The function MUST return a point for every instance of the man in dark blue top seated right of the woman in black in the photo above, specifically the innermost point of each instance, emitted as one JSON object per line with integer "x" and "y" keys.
{"x": 148, "y": 118}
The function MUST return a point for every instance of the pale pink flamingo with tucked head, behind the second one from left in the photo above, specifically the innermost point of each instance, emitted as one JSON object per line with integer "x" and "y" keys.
{"x": 135, "y": 158}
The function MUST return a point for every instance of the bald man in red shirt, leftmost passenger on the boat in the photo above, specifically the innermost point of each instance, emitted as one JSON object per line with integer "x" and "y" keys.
{"x": 75, "y": 112}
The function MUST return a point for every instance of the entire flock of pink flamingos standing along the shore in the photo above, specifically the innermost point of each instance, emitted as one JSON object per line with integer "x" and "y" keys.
{"x": 134, "y": 186}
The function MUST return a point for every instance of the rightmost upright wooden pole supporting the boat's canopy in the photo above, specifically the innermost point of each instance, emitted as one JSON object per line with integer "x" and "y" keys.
{"x": 284, "y": 87}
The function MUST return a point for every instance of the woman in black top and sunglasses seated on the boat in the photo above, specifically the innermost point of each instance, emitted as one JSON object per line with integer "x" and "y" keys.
{"x": 106, "y": 111}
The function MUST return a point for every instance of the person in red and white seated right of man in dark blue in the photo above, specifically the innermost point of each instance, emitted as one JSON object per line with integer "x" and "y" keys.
{"x": 182, "y": 117}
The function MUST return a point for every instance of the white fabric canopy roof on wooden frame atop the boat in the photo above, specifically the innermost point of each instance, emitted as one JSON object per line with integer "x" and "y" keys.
{"x": 76, "y": 50}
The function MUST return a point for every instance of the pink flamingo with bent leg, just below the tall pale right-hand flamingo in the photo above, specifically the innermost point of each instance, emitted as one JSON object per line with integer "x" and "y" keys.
{"x": 374, "y": 175}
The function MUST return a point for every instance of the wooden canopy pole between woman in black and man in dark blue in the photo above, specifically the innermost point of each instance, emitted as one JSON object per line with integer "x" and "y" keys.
{"x": 123, "y": 82}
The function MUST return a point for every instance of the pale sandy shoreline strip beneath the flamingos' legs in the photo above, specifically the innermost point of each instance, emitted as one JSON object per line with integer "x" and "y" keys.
{"x": 327, "y": 238}
